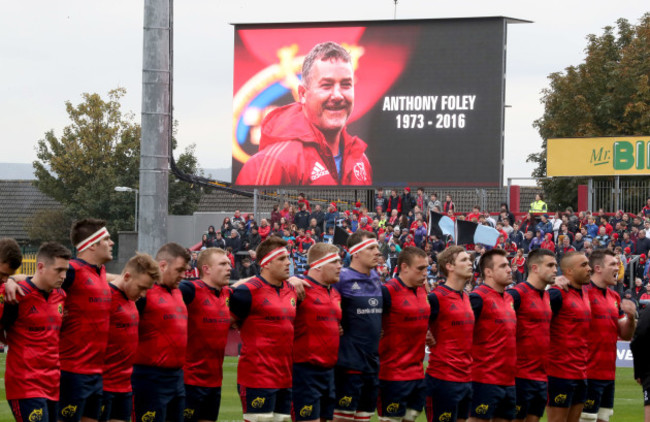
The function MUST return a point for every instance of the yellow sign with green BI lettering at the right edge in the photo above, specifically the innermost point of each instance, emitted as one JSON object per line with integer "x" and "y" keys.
{"x": 629, "y": 155}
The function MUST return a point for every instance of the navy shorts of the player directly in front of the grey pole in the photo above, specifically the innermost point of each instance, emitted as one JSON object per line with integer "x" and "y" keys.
{"x": 158, "y": 394}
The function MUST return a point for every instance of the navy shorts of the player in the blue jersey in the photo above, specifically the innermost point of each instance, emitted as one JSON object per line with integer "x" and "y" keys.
{"x": 355, "y": 391}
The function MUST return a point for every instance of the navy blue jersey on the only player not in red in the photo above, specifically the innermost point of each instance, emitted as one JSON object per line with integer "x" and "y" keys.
{"x": 361, "y": 302}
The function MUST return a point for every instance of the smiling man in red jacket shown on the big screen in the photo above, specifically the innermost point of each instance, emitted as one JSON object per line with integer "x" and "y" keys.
{"x": 306, "y": 142}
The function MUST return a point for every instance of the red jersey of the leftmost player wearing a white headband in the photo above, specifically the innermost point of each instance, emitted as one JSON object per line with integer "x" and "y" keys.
{"x": 84, "y": 333}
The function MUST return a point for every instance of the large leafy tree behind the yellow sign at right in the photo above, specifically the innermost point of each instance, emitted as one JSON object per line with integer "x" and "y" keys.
{"x": 606, "y": 95}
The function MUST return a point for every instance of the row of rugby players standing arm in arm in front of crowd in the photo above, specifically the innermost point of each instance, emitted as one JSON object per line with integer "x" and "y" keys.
{"x": 333, "y": 345}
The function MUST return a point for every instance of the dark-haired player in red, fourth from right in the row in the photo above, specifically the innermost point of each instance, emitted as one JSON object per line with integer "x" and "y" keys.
{"x": 495, "y": 329}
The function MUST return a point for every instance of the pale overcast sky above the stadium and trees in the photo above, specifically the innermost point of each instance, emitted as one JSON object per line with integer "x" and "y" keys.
{"x": 53, "y": 51}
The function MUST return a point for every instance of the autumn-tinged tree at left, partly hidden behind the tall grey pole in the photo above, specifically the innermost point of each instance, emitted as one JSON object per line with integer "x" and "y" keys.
{"x": 98, "y": 151}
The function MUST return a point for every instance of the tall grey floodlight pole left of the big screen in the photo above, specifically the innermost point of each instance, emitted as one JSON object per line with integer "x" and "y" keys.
{"x": 156, "y": 124}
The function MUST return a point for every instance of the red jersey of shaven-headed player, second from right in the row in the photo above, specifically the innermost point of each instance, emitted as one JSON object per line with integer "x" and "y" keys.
{"x": 569, "y": 331}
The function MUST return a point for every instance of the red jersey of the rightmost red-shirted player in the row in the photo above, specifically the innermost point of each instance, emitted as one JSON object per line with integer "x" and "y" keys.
{"x": 603, "y": 332}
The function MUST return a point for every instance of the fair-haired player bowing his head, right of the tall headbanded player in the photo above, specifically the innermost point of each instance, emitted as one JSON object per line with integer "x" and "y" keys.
{"x": 138, "y": 276}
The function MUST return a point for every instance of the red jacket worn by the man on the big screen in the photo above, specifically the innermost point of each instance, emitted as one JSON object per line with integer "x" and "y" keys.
{"x": 294, "y": 152}
